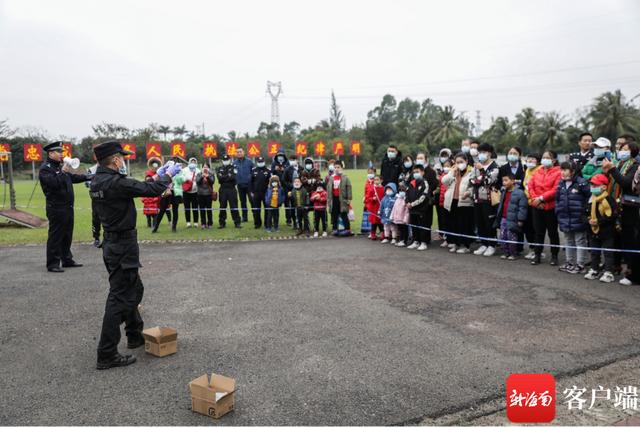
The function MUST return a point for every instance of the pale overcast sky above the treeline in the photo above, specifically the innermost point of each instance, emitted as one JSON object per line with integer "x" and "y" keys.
{"x": 66, "y": 65}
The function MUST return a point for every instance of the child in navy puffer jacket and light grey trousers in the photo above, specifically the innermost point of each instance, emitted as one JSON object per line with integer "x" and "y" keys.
{"x": 571, "y": 202}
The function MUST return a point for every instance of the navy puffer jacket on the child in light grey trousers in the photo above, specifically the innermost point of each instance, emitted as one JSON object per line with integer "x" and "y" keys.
{"x": 571, "y": 202}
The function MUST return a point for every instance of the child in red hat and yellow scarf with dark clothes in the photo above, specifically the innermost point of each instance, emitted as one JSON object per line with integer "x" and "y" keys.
{"x": 602, "y": 214}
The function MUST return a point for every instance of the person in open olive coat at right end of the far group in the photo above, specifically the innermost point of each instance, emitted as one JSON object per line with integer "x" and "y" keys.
{"x": 340, "y": 195}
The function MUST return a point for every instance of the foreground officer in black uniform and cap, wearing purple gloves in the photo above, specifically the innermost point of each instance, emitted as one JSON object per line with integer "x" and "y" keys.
{"x": 112, "y": 194}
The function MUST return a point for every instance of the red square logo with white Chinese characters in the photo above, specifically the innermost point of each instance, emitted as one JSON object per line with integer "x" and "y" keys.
{"x": 531, "y": 398}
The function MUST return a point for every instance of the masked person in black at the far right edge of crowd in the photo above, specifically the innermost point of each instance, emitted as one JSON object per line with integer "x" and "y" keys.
{"x": 622, "y": 175}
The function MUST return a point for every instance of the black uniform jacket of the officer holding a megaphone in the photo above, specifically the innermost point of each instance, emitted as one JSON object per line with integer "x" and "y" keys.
{"x": 57, "y": 185}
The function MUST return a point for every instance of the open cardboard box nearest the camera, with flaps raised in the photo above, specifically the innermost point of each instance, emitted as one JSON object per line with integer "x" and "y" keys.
{"x": 214, "y": 397}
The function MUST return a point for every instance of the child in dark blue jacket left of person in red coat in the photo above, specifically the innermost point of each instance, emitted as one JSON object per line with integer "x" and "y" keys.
{"x": 511, "y": 215}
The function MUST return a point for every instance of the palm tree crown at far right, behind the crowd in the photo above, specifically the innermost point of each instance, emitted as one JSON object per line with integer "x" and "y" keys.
{"x": 612, "y": 116}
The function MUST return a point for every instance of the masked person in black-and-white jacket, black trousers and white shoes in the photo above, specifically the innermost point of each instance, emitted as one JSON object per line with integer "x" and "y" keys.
{"x": 484, "y": 180}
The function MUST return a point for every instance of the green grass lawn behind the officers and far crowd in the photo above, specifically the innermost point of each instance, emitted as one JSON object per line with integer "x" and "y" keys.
{"x": 10, "y": 234}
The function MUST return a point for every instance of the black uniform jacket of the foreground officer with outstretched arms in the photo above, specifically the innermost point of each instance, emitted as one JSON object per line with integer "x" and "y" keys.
{"x": 112, "y": 196}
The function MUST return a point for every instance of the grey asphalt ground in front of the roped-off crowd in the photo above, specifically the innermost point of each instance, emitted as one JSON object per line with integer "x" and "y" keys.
{"x": 328, "y": 331}
